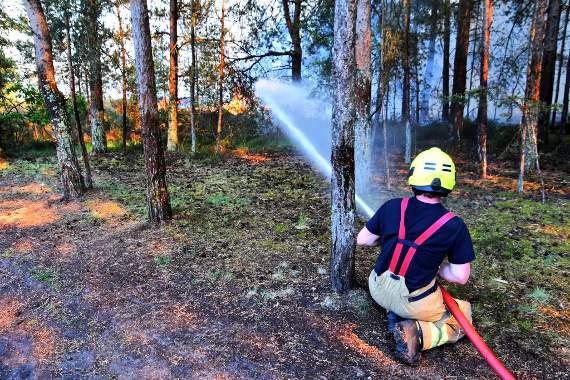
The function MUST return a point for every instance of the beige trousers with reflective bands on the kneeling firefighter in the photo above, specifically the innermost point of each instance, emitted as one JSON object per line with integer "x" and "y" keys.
{"x": 437, "y": 324}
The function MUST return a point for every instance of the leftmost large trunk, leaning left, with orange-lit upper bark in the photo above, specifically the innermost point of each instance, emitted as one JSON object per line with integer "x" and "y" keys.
{"x": 71, "y": 177}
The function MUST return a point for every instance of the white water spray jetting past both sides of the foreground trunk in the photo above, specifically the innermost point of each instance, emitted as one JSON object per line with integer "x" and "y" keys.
{"x": 306, "y": 120}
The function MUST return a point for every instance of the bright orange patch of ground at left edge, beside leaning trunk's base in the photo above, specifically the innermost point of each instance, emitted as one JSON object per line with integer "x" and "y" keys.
{"x": 25, "y": 213}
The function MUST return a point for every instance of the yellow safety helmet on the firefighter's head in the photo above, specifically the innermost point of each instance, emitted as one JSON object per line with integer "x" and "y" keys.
{"x": 432, "y": 171}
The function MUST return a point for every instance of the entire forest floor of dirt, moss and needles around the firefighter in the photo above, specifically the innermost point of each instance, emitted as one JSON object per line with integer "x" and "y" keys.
{"x": 236, "y": 286}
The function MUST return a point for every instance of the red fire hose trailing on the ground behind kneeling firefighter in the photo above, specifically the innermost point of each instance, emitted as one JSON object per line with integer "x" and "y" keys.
{"x": 475, "y": 338}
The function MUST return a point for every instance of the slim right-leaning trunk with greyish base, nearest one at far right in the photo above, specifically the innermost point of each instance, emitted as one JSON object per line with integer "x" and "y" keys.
{"x": 529, "y": 144}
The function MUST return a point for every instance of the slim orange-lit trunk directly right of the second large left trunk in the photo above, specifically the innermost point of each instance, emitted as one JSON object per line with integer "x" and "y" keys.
{"x": 172, "y": 141}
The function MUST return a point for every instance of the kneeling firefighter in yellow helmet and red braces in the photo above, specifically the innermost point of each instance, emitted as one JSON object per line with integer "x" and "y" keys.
{"x": 420, "y": 241}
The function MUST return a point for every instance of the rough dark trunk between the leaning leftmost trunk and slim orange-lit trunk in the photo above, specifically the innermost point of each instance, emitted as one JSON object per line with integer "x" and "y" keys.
{"x": 157, "y": 199}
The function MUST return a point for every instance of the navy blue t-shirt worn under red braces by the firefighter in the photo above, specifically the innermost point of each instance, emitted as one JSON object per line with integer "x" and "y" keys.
{"x": 452, "y": 240}
